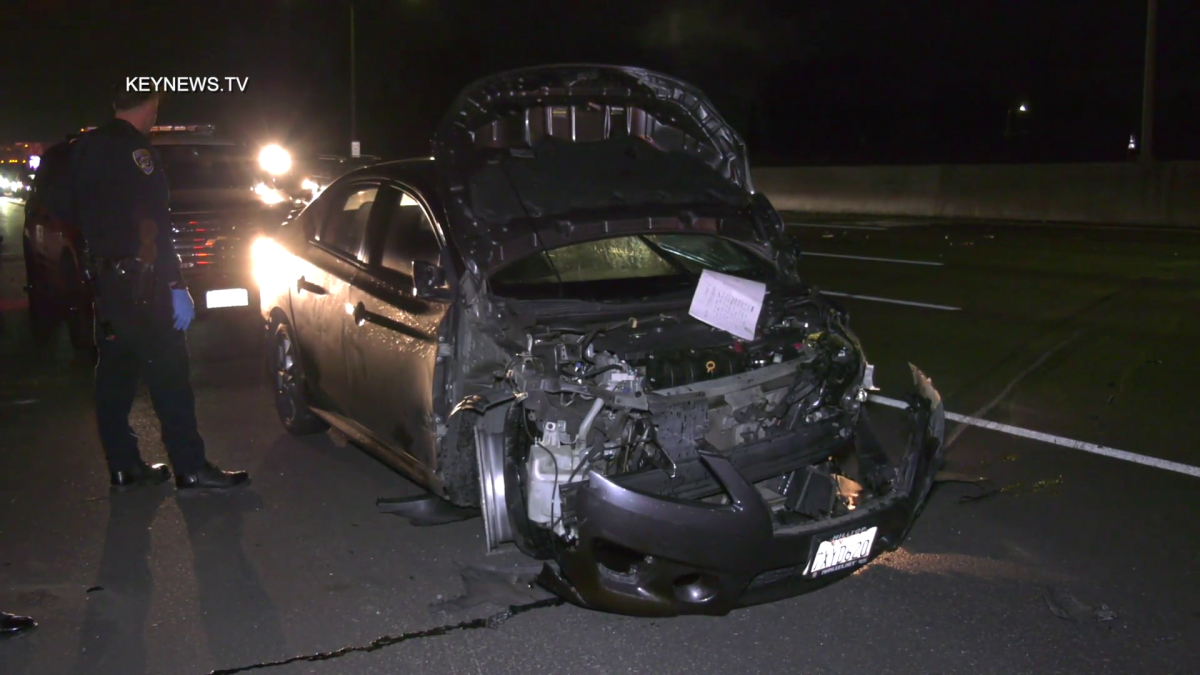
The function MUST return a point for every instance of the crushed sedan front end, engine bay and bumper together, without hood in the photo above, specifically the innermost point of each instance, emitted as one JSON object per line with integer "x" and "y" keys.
{"x": 662, "y": 480}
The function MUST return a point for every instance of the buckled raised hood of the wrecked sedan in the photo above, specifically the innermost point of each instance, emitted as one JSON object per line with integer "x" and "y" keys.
{"x": 556, "y": 154}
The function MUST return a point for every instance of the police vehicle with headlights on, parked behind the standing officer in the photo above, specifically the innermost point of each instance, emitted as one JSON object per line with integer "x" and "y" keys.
{"x": 223, "y": 196}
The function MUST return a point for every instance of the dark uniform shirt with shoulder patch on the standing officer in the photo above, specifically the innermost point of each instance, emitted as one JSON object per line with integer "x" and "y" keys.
{"x": 122, "y": 199}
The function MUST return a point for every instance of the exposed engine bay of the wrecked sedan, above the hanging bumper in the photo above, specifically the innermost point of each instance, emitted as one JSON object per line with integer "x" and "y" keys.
{"x": 640, "y": 401}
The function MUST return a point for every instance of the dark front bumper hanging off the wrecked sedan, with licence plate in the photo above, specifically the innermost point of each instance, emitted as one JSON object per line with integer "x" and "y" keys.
{"x": 697, "y": 558}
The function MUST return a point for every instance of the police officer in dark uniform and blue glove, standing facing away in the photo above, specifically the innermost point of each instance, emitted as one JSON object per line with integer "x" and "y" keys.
{"x": 119, "y": 199}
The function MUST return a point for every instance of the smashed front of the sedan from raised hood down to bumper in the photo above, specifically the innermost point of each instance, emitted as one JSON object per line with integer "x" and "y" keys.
{"x": 662, "y": 465}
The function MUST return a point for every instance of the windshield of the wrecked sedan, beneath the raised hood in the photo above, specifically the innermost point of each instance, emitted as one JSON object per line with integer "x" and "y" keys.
{"x": 627, "y": 268}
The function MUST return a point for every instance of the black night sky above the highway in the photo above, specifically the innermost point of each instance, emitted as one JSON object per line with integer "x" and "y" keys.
{"x": 806, "y": 82}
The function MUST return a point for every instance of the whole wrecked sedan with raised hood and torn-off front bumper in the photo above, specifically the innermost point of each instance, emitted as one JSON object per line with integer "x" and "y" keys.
{"x": 580, "y": 322}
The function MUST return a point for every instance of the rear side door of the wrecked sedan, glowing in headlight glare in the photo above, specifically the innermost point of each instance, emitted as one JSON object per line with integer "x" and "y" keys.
{"x": 337, "y": 252}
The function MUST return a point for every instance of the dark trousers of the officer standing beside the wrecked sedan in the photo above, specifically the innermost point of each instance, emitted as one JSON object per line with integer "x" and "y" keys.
{"x": 139, "y": 342}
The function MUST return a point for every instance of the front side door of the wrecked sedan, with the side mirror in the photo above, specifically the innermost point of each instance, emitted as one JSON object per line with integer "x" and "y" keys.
{"x": 393, "y": 341}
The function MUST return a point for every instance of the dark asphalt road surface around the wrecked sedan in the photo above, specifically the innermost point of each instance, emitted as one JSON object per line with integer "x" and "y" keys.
{"x": 1084, "y": 334}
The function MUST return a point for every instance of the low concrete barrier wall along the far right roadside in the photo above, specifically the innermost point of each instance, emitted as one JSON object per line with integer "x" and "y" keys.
{"x": 1126, "y": 194}
